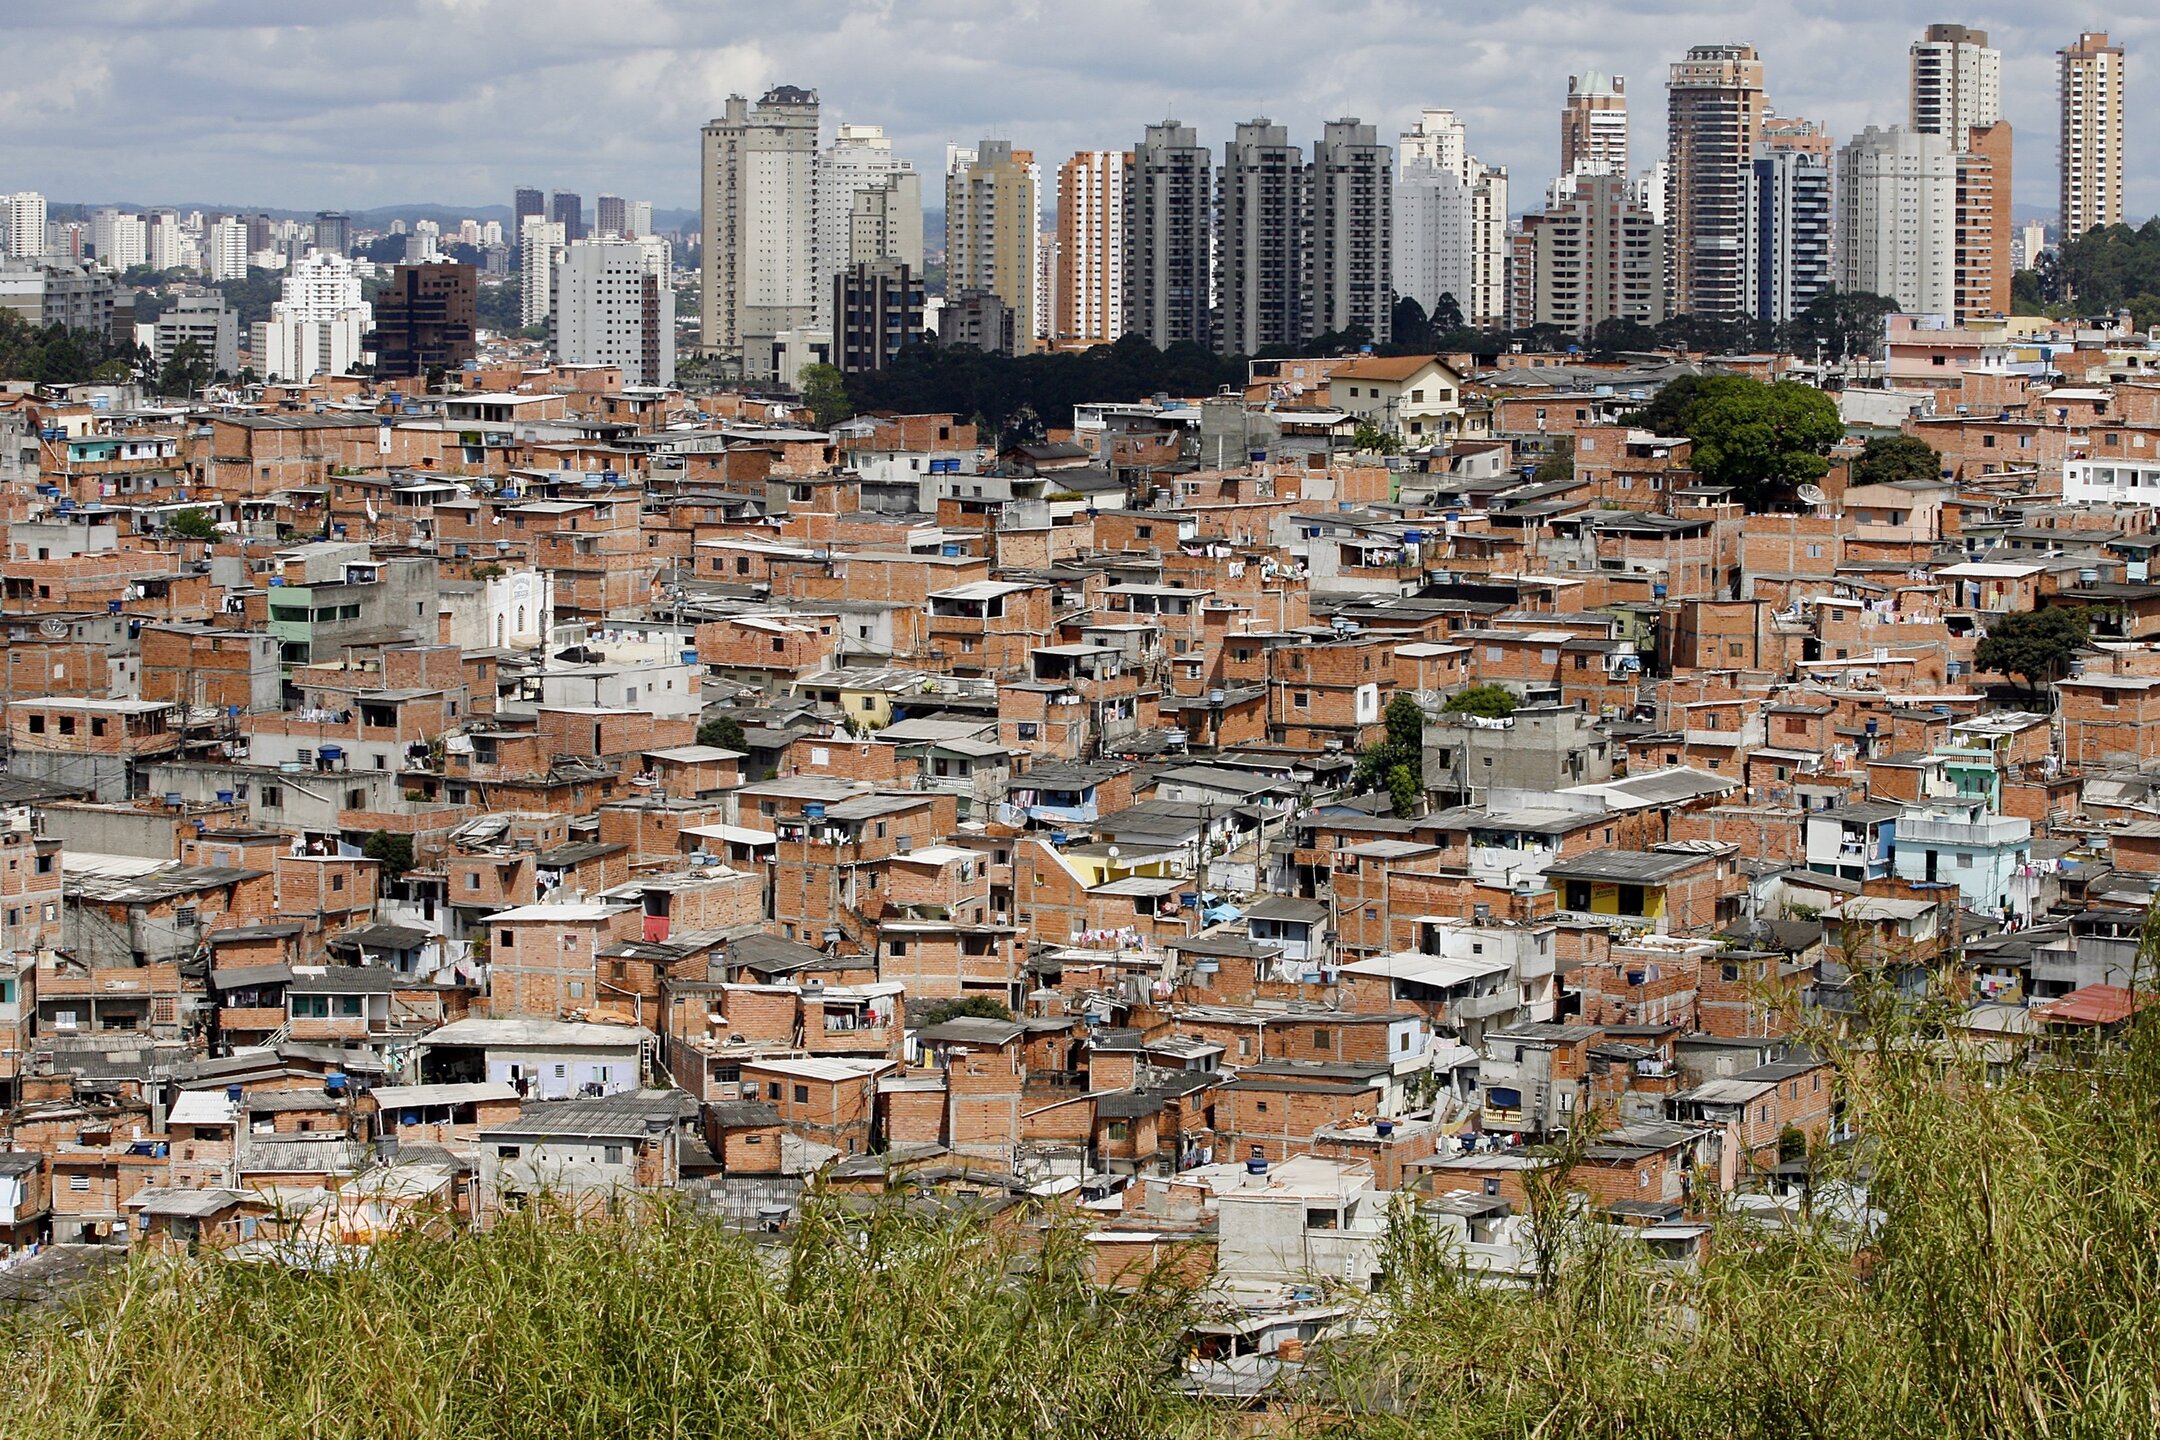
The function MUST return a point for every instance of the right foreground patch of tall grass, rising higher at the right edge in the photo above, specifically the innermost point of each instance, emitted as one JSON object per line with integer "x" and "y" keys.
{"x": 2008, "y": 1290}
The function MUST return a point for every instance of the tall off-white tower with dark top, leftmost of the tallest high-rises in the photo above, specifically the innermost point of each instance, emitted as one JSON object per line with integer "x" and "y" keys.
{"x": 761, "y": 226}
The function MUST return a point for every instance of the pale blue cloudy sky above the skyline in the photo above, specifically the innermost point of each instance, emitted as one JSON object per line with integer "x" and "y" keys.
{"x": 388, "y": 103}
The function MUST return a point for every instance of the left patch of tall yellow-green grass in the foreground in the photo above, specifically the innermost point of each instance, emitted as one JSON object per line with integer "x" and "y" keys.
{"x": 893, "y": 1327}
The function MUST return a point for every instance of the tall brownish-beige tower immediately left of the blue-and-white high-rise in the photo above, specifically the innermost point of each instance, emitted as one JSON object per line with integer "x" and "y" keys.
{"x": 1714, "y": 113}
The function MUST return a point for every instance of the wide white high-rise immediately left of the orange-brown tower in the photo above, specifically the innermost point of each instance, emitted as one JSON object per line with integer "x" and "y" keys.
{"x": 1898, "y": 219}
